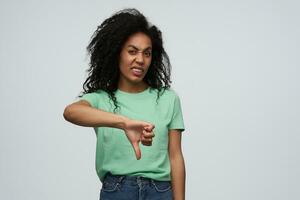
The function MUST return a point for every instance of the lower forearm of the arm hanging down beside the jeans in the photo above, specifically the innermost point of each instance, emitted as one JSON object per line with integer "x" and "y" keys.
{"x": 178, "y": 177}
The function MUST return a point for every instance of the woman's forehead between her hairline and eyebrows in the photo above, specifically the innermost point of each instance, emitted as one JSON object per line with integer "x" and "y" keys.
{"x": 139, "y": 40}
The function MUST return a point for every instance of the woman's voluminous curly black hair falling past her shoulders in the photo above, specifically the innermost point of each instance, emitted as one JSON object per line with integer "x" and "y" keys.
{"x": 105, "y": 47}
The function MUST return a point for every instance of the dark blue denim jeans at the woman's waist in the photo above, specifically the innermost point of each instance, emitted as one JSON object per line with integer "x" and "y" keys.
{"x": 119, "y": 187}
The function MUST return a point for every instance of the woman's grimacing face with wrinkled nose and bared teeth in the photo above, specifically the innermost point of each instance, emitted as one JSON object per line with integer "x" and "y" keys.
{"x": 135, "y": 59}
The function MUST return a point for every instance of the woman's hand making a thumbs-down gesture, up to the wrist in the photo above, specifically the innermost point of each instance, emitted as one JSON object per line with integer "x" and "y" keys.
{"x": 139, "y": 131}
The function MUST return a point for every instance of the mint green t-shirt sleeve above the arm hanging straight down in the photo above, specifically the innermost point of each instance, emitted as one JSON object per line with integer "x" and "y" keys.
{"x": 177, "y": 118}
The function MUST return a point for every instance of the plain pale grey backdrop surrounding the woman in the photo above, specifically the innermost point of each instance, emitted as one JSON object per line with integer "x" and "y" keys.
{"x": 235, "y": 67}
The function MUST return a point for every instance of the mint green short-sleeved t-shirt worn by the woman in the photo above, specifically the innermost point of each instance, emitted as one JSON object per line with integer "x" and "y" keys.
{"x": 114, "y": 152}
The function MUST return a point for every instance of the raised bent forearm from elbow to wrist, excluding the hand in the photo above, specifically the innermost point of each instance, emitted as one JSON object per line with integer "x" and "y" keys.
{"x": 92, "y": 117}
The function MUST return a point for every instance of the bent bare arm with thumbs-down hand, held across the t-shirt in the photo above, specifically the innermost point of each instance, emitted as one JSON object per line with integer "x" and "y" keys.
{"x": 83, "y": 114}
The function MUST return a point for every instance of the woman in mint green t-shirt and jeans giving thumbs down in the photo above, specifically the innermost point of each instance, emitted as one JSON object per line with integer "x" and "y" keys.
{"x": 136, "y": 116}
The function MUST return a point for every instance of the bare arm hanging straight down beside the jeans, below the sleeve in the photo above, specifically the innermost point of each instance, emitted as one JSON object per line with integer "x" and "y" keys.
{"x": 177, "y": 165}
